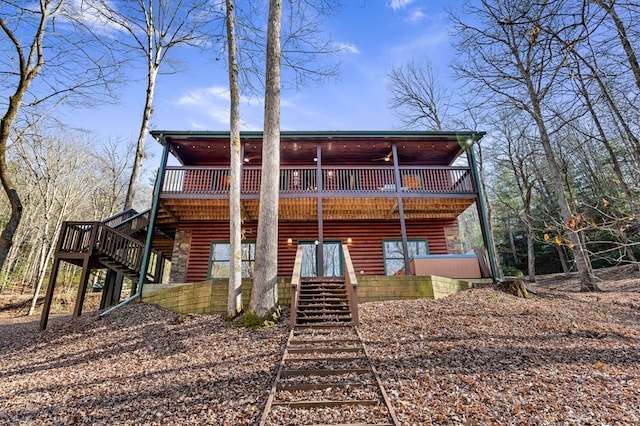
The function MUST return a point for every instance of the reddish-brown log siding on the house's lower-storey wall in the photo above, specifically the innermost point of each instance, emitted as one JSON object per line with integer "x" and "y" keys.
{"x": 365, "y": 250}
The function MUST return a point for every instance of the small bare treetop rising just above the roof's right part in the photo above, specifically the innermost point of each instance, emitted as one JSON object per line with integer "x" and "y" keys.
{"x": 417, "y": 95}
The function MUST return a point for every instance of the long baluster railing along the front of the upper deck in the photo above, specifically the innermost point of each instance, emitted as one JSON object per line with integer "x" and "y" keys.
{"x": 297, "y": 180}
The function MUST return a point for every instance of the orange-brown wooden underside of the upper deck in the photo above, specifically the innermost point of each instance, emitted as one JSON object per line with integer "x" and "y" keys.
{"x": 306, "y": 209}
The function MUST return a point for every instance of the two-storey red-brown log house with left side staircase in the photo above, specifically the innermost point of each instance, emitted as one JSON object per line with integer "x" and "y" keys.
{"x": 393, "y": 197}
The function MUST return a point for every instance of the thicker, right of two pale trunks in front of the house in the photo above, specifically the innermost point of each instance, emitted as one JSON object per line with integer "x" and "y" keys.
{"x": 264, "y": 297}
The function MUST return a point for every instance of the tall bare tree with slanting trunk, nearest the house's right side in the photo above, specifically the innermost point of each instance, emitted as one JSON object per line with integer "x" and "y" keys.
{"x": 506, "y": 53}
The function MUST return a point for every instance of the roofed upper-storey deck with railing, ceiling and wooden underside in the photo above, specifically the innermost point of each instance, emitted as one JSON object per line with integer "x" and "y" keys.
{"x": 336, "y": 175}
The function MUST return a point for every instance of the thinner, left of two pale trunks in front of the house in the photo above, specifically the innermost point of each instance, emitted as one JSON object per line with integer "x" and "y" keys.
{"x": 234, "y": 301}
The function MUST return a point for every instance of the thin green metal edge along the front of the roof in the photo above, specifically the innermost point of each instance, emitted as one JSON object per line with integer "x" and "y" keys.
{"x": 318, "y": 134}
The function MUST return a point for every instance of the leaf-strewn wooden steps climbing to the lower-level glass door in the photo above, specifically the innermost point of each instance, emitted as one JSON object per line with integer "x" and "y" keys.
{"x": 325, "y": 376}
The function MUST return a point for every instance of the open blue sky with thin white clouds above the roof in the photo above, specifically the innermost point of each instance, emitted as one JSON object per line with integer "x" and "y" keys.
{"x": 378, "y": 34}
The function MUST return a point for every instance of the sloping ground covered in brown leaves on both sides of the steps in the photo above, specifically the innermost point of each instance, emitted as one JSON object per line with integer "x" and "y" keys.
{"x": 478, "y": 357}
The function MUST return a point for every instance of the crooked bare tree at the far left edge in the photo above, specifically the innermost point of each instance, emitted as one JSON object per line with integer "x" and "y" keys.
{"x": 77, "y": 69}
